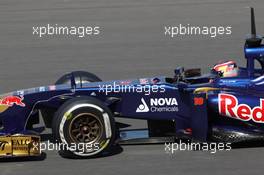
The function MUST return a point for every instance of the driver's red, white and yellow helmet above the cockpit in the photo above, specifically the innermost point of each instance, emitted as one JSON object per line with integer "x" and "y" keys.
{"x": 227, "y": 68}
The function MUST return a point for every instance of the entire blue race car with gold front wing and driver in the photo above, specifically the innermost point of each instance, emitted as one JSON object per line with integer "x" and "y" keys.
{"x": 226, "y": 105}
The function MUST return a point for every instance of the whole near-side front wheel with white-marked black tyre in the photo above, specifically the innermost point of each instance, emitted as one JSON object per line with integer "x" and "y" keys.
{"x": 84, "y": 128}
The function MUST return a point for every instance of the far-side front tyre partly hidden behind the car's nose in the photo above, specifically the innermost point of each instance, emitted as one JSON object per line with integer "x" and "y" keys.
{"x": 80, "y": 77}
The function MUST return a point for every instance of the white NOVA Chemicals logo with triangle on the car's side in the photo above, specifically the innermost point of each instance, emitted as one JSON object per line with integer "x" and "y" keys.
{"x": 158, "y": 105}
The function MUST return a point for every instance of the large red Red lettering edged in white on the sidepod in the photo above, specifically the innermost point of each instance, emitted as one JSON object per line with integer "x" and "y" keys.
{"x": 228, "y": 106}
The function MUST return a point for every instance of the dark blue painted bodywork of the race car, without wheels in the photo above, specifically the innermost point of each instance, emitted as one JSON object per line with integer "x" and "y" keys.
{"x": 210, "y": 107}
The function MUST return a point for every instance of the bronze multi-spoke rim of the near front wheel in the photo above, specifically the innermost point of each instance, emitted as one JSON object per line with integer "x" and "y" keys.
{"x": 86, "y": 128}
